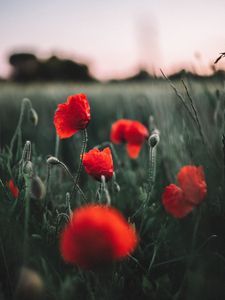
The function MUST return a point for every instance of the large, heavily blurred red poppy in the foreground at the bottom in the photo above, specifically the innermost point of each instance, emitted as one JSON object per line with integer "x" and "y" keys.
{"x": 96, "y": 235}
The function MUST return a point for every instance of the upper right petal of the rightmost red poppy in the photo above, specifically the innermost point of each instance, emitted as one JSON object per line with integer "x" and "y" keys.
{"x": 192, "y": 181}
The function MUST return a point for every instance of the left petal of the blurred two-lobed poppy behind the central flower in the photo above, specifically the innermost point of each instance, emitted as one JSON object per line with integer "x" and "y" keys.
{"x": 118, "y": 129}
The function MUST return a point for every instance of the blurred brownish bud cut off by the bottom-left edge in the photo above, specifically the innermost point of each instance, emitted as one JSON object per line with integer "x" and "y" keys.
{"x": 30, "y": 286}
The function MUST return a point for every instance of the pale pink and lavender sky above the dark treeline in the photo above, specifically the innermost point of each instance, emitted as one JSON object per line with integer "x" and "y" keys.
{"x": 116, "y": 38}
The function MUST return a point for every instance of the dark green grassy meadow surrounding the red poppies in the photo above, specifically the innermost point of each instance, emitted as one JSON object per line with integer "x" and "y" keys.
{"x": 175, "y": 258}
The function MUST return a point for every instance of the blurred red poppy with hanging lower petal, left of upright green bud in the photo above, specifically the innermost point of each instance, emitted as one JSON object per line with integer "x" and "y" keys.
{"x": 132, "y": 132}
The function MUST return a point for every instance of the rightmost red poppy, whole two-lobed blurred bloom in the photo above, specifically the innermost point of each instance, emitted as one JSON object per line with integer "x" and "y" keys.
{"x": 180, "y": 200}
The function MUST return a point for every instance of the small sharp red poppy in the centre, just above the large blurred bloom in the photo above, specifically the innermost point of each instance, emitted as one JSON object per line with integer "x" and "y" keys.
{"x": 97, "y": 163}
